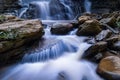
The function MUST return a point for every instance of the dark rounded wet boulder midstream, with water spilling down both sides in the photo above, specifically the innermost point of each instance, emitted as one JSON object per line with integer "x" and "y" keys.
{"x": 61, "y": 28}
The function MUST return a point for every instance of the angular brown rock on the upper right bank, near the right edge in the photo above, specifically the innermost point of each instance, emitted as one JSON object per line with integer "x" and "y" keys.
{"x": 110, "y": 21}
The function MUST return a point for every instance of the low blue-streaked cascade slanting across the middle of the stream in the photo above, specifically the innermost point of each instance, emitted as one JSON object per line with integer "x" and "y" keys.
{"x": 53, "y": 51}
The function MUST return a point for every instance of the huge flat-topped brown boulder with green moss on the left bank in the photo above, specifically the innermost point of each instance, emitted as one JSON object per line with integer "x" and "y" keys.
{"x": 16, "y": 34}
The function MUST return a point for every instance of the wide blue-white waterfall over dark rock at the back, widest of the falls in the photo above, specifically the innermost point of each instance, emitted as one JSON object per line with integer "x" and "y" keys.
{"x": 47, "y": 10}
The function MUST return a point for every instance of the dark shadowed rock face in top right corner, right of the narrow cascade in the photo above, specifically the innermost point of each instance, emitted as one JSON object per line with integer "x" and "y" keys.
{"x": 105, "y": 6}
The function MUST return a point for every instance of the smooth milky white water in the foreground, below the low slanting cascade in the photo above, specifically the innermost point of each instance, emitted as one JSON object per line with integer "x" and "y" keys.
{"x": 68, "y": 66}
